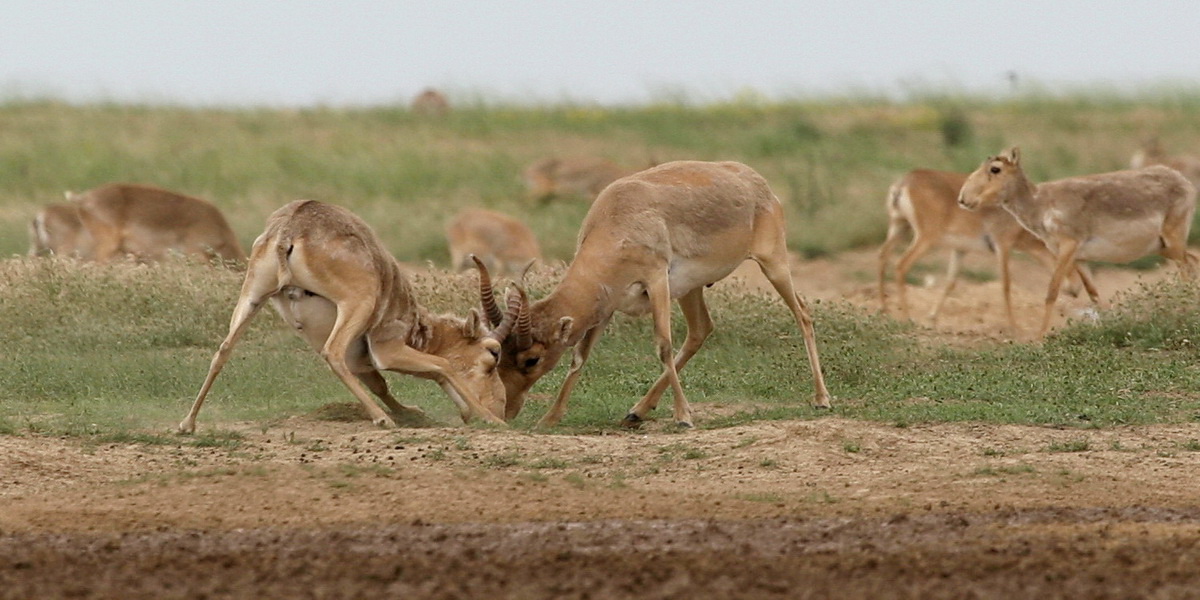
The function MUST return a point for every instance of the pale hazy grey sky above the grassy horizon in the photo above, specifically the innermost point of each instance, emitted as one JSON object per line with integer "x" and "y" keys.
{"x": 304, "y": 52}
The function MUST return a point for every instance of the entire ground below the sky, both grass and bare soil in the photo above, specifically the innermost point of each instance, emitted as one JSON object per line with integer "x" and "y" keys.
{"x": 957, "y": 463}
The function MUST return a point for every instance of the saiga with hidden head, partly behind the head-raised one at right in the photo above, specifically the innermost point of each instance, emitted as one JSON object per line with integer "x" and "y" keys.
{"x": 926, "y": 202}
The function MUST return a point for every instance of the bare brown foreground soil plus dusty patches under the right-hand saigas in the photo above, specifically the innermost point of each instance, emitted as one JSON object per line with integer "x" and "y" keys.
{"x": 313, "y": 508}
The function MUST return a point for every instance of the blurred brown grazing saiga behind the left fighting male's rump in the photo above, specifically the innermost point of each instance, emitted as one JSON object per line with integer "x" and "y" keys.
{"x": 147, "y": 224}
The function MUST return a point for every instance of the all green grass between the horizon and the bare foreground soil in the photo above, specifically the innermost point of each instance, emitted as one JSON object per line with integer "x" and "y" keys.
{"x": 121, "y": 351}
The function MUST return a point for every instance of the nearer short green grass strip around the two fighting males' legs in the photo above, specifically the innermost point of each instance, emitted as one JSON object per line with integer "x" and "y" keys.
{"x": 95, "y": 352}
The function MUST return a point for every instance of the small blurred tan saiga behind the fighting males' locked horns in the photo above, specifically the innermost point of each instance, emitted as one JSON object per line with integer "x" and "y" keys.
{"x": 505, "y": 244}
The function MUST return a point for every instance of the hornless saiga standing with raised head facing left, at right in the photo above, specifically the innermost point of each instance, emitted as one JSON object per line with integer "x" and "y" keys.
{"x": 1115, "y": 218}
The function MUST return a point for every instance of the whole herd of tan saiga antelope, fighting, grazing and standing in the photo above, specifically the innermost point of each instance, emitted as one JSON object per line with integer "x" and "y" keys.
{"x": 651, "y": 237}
